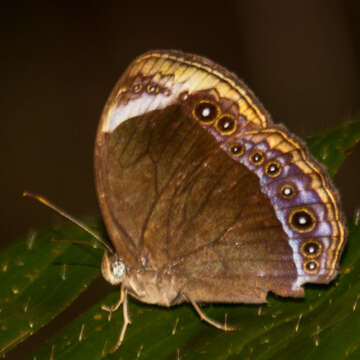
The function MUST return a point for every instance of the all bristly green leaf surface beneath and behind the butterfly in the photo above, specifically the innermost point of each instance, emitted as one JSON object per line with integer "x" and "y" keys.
{"x": 326, "y": 324}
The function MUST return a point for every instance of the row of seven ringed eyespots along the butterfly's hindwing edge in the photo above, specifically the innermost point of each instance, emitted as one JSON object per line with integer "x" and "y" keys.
{"x": 301, "y": 219}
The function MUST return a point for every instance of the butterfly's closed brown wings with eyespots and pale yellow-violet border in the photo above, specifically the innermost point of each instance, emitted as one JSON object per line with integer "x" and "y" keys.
{"x": 196, "y": 183}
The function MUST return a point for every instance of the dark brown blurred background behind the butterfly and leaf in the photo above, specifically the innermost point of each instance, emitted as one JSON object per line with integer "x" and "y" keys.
{"x": 59, "y": 63}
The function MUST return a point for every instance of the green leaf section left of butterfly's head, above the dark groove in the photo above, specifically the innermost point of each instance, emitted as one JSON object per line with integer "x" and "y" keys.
{"x": 40, "y": 276}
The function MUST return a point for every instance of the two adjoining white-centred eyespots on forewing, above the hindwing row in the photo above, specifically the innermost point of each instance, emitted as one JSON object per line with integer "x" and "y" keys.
{"x": 209, "y": 113}
